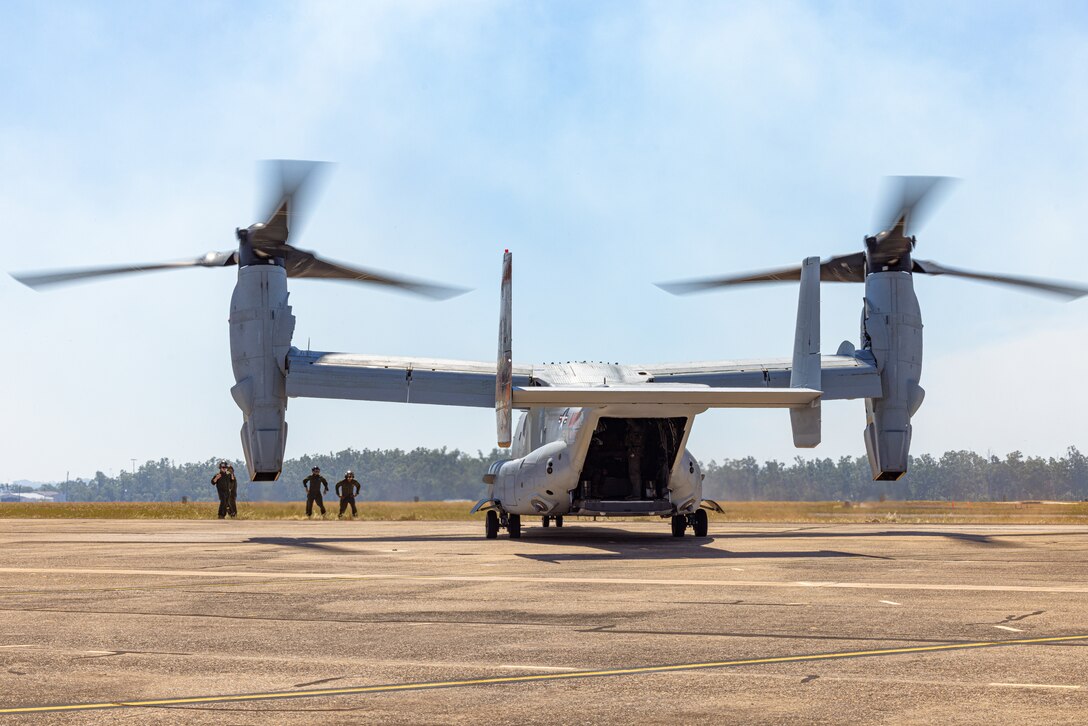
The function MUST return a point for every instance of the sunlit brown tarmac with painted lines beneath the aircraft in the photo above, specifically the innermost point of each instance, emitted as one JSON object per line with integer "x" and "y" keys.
{"x": 429, "y": 623}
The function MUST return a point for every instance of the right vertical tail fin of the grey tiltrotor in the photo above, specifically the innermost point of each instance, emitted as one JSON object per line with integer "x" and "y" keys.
{"x": 807, "y": 359}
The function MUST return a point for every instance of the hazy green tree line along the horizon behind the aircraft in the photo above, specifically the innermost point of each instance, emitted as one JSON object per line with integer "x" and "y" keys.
{"x": 442, "y": 474}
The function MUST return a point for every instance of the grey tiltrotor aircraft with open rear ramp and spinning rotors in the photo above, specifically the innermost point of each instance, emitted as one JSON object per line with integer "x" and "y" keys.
{"x": 594, "y": 439}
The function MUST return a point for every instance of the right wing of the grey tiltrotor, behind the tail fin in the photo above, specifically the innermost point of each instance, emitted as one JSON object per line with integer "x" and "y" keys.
{"x": 842, "y": 376}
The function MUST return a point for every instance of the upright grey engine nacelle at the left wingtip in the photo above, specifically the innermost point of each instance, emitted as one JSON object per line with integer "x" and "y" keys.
{"x": 262, "y": 327}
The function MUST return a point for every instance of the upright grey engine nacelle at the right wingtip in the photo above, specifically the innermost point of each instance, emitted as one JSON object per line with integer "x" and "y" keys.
{"x": 892, "y": 330}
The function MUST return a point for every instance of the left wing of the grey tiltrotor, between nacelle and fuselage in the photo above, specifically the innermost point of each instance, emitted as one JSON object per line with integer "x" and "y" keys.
{"x": 315, "y": 375}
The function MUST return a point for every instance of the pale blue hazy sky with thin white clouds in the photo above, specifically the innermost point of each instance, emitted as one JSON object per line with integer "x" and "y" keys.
{"x": 609, "y": 145}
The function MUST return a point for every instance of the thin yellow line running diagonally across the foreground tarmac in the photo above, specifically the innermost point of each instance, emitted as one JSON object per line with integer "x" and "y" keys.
{"x": 241, "y": 698}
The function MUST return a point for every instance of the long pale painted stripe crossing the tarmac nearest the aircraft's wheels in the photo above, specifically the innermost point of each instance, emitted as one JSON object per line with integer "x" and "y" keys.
{"x": 550, "y": 580}
